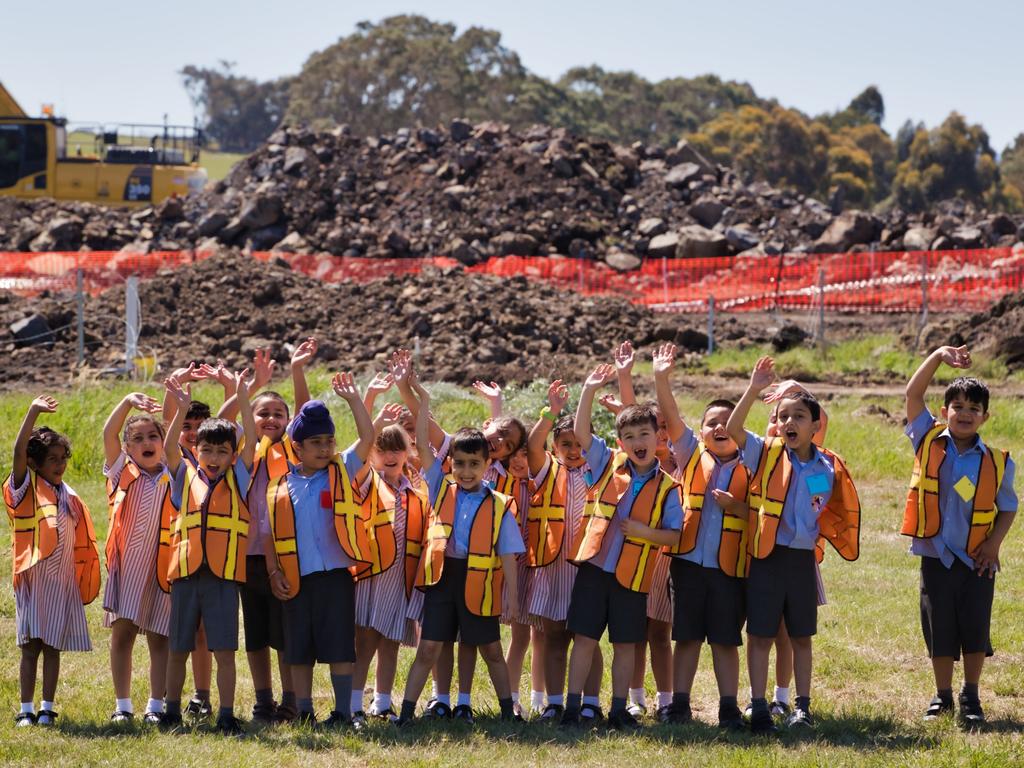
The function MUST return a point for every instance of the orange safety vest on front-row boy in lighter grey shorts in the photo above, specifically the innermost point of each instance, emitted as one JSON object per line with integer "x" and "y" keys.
{"x": 220, "y": 542}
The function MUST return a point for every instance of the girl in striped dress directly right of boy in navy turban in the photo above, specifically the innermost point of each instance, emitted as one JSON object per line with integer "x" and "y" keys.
{"x": 396, "y": 518}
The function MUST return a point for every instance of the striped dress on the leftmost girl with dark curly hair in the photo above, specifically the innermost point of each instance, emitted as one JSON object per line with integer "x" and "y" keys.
{"x": 48, "y": 602}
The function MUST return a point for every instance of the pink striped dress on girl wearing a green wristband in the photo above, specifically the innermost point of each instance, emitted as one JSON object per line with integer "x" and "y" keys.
{"x": 551, "y": 586}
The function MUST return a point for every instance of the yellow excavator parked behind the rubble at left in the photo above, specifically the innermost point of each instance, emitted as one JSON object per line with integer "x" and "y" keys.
{"x": 133, "y": 165}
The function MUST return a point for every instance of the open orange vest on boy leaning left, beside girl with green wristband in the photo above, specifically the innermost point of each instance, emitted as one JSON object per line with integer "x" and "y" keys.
{"x": 635, "y": 566}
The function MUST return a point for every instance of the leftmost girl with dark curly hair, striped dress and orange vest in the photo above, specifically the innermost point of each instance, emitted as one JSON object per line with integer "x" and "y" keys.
{"x": 55, "y": 561}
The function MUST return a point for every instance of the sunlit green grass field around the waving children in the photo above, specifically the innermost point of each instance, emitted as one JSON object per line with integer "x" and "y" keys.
{"x": 872, "y": 678}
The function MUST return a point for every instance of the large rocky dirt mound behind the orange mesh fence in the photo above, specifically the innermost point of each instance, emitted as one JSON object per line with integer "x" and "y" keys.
{"x": 476, "y": 191}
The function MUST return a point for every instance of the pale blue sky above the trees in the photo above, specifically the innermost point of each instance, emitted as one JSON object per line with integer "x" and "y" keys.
{"x": 120, "y": 65}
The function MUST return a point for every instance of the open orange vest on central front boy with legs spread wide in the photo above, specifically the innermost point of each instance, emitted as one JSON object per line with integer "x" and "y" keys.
{"x": 485, "y": 578}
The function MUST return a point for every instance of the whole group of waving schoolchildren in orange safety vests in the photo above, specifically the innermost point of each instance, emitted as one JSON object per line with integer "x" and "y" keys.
{"x": 415, "y": 537}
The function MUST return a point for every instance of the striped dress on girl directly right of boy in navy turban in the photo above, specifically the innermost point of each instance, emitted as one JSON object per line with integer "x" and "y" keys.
{"x": 380, "y": 601}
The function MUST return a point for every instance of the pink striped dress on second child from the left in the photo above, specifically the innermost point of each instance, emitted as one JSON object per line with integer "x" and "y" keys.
{"x": 133, "y": 591}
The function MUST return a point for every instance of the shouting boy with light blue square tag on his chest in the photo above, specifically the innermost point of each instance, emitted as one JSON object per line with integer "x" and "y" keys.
{"x": 800, "y": 496}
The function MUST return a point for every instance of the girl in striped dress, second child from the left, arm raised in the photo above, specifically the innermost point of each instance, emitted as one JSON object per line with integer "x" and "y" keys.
{"x": 137, "y": 599}
